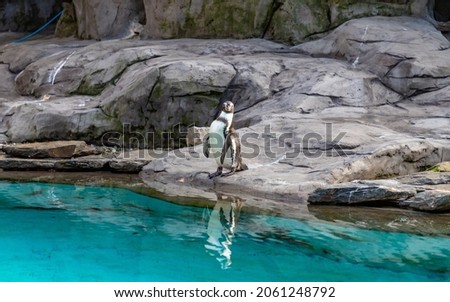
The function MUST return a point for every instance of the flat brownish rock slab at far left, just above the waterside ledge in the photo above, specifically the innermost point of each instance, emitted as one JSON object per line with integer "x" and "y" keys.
{"x": 55, "y": 149}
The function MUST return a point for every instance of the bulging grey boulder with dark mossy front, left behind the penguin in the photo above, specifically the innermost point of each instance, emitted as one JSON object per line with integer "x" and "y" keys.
{"x": 166, "y": 96}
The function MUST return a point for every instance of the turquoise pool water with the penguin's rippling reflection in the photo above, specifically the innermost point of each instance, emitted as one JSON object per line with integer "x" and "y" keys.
{"x": 74, "y": 233}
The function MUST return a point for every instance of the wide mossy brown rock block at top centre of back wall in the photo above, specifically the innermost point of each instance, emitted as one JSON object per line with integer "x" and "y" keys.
{"x": 205, "y": 19}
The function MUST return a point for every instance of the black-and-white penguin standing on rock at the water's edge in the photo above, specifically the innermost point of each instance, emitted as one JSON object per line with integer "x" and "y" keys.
{"x": 223, "y": 143}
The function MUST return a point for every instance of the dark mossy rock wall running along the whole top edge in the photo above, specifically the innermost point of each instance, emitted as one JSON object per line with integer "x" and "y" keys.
{"x": 288, "y": 21}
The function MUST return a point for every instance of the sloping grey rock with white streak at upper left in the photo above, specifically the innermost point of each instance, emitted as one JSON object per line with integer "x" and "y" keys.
{"x": 85, "y": 71}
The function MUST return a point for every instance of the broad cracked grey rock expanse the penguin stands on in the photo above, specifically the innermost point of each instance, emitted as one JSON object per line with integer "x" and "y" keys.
{"x": 359, "y": 104}
